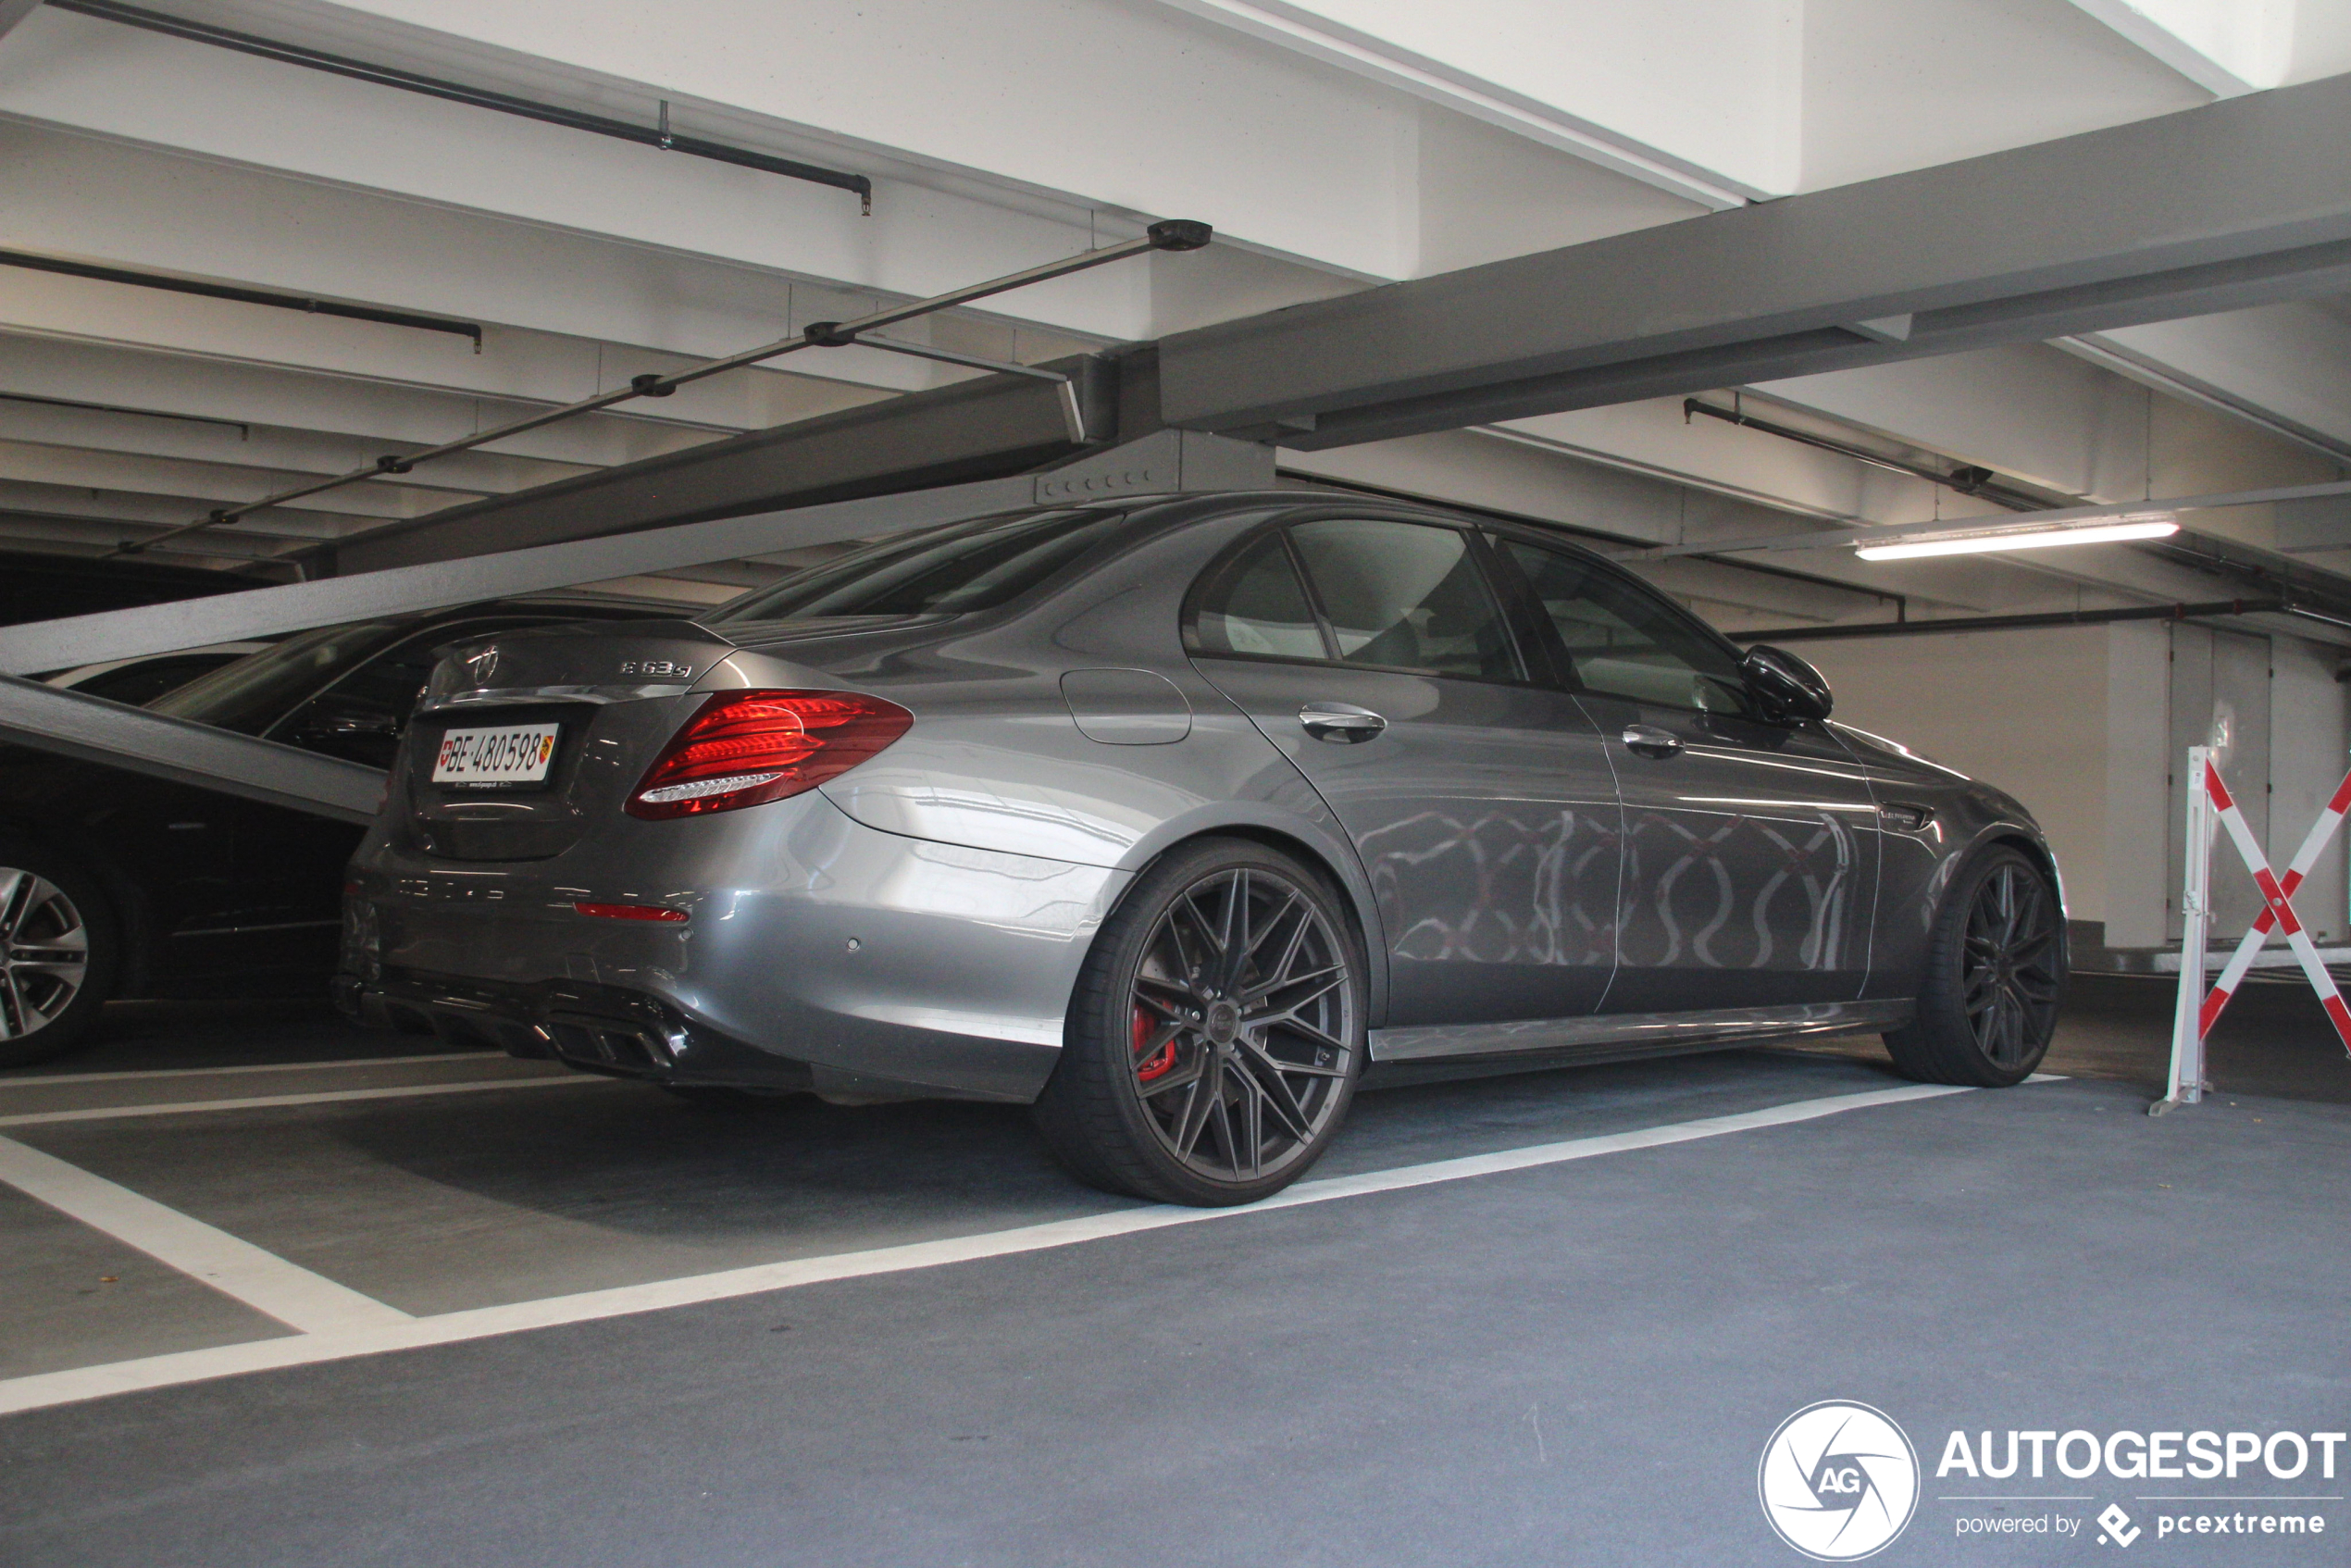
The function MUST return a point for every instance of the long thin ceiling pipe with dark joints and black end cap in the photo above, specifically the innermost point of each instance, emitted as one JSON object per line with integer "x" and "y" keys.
{"x": 1165, "y": 236}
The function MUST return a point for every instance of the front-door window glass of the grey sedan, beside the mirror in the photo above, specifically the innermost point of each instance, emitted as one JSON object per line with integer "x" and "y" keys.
{"x": 1628, "y": 645}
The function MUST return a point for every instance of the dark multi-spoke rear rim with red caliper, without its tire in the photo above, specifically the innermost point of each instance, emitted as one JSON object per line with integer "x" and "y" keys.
{"x": 1243, "y": 1026}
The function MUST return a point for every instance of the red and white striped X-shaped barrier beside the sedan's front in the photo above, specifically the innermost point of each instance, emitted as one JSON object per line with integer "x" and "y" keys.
{"x": 2199, "y": 1010}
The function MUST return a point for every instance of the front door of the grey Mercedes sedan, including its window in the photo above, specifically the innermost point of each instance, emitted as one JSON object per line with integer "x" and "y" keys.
{"x": 1750, "y": 845}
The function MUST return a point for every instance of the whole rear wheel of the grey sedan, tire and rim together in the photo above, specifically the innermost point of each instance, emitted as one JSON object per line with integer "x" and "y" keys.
{"x": 1217, "y": 1033}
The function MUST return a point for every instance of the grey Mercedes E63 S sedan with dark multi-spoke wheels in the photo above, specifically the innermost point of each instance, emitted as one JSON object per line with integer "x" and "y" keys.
{"x": 1179, "y": 819}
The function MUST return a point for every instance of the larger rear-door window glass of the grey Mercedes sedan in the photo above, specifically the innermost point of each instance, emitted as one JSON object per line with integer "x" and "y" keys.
{"x": 1407, "y": 596}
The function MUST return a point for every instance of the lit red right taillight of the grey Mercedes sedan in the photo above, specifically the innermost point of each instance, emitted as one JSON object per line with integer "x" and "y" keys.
{"x": 746, "y": 749}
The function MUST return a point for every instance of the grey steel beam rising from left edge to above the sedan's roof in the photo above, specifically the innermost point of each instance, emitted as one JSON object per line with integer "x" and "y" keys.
{"x": 1160, "y": 464}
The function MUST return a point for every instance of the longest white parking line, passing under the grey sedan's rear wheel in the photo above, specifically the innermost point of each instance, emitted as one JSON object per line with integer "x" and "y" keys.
{"x": 483, "y": 1322}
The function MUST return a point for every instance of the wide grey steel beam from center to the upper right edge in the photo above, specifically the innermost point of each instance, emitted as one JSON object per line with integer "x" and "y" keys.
{"x": 2216, "y": 208}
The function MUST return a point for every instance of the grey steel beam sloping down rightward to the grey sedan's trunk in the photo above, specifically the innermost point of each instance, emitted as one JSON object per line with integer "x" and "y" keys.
{"x": 192, "y": 753}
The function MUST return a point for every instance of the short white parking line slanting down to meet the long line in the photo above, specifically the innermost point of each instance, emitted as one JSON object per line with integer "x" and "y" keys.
{"x": 269, "y": 1285}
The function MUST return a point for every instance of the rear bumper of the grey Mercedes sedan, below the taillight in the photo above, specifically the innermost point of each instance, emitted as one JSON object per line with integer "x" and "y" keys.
{"x": 819, "y": 953}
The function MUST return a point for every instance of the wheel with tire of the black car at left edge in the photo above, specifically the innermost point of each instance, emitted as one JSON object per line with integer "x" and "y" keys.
{"x": 60, "y": 953}
